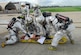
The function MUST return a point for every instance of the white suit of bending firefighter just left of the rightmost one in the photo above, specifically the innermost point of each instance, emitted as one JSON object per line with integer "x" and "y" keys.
{"x": 51, "y": 25}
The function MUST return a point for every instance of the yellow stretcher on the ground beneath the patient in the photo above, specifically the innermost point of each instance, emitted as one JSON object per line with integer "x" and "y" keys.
{"x": 47, "y": 41}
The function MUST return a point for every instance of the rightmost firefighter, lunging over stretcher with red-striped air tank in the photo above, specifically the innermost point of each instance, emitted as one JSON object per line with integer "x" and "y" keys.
{"x": 65, "y": 27}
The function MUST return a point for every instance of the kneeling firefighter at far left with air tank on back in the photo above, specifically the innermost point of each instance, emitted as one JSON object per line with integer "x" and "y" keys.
{"x": 13, "y": 27}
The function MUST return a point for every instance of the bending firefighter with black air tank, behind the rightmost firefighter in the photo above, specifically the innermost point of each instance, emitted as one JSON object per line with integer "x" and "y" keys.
{"x": 48, "y": 25}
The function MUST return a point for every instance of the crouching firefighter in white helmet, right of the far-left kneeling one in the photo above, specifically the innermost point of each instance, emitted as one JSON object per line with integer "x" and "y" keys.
{"x": 30, "y": 25}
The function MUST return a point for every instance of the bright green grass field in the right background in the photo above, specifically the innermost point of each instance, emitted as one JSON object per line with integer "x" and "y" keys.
{"x": 61, "y": 9}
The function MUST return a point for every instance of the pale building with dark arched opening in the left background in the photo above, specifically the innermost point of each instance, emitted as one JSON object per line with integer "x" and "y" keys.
{"x": 8, "y": 7}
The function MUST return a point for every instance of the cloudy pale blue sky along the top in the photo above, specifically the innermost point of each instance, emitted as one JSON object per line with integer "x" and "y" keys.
{"x": 50, "y": 2}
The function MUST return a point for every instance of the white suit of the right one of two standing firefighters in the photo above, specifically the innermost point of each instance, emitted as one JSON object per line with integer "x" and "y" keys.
{"x": 39, "y": 21}
